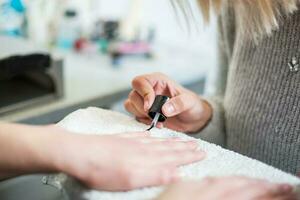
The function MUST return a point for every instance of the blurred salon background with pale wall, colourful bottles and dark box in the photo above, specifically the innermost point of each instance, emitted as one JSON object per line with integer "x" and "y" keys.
{"x": 57, "y": 56}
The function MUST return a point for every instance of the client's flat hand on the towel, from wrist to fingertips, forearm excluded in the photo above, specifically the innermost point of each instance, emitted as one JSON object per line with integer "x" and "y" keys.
{"x": 125, "y": 161}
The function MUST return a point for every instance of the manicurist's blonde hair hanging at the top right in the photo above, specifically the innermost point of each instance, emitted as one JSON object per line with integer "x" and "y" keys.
{"x": 254, "y": 18}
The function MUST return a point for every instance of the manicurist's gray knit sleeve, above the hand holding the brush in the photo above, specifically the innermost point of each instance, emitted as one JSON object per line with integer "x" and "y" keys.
{"x": 215, "y": 131}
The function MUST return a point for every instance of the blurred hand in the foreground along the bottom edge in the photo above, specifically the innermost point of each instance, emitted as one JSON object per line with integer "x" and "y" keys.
{"x": 229, "y": 188}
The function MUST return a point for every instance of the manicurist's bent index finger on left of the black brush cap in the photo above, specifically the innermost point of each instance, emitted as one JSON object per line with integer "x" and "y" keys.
{"x": 144, "y": 87}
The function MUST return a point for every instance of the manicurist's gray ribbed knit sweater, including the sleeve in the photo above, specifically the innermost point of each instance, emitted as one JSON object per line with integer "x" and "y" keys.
{"x": 257, "y": 105}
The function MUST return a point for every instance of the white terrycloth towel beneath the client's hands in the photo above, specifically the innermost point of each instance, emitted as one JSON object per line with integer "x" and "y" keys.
{"x": 218, "y": 162}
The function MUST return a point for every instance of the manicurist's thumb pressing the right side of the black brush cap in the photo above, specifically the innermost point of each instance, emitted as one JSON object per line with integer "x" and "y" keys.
{"x": 178, "y": 104}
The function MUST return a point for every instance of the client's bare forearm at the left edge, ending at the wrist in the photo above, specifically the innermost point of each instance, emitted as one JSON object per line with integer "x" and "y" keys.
{"x": 27, "y": 149}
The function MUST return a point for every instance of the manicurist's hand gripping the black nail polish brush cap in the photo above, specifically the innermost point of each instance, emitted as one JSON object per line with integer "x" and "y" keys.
{"x": 186, "y": 111}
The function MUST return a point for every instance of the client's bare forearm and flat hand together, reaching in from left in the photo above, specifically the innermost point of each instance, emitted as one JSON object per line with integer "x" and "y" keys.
{"x": 112, "y": 162}
